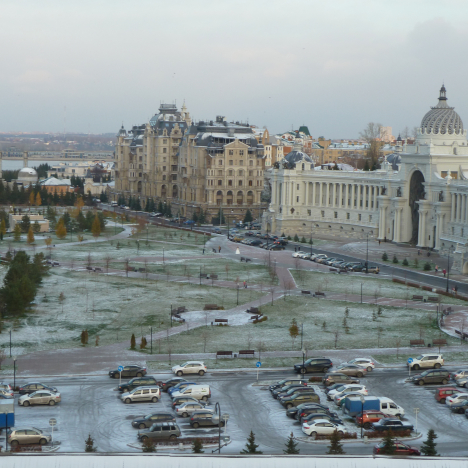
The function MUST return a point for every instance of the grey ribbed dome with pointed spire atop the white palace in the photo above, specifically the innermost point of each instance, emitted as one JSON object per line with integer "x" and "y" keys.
{"x": 442, "y": 119}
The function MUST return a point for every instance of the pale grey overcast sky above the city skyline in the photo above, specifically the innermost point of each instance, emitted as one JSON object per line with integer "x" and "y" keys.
{"x": 332, "y": 65}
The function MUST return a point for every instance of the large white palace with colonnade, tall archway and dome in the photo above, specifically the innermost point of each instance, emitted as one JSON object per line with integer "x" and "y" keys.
{"x": 420, "y": 195}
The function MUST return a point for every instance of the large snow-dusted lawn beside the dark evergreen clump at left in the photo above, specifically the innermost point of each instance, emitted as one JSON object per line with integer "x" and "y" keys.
{"x": 110, "y": 307}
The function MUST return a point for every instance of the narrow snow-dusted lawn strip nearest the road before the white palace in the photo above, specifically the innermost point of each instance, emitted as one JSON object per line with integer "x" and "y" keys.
{"x": 372, "y": 285}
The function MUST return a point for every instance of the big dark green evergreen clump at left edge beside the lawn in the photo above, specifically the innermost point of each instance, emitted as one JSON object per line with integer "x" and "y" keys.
{"x": 22, "y": 281}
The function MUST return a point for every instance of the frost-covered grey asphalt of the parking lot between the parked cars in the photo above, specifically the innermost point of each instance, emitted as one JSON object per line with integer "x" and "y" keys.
{"x": 90, "y": 405}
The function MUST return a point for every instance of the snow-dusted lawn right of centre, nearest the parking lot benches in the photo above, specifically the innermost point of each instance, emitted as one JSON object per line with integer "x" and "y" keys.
{"x": 394, "y": 324}
